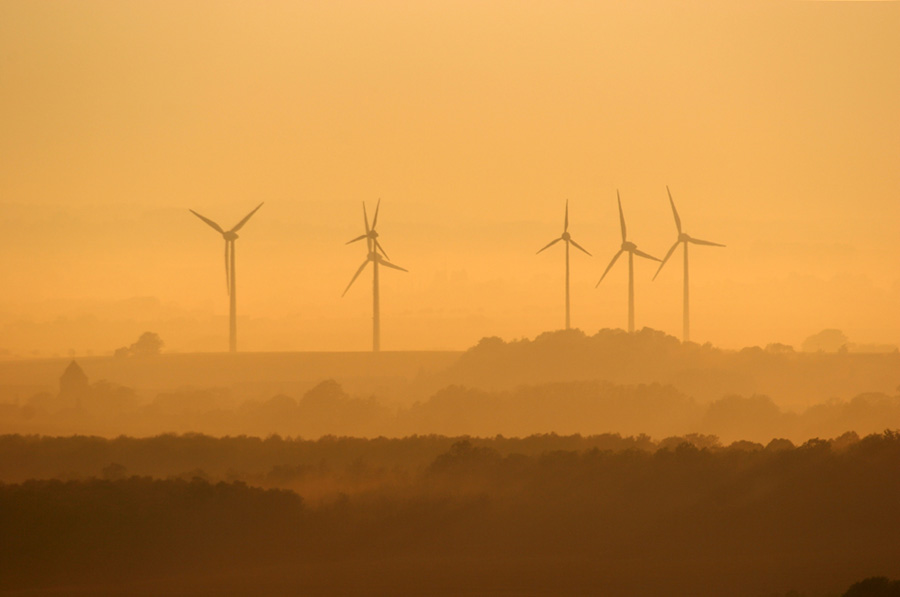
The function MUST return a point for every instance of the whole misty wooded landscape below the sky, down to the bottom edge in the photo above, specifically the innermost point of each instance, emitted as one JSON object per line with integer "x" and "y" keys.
{"x": 611, "y": 464}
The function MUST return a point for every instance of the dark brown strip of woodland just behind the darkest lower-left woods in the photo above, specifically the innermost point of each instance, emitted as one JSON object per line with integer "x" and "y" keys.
{"x": 269, "y": 461}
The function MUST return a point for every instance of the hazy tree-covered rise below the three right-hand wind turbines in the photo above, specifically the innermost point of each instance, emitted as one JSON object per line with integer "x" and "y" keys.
{"x": 649, "y": 356}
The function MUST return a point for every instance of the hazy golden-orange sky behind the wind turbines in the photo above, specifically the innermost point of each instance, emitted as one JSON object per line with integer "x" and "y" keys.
{"x": 776, "y": 124}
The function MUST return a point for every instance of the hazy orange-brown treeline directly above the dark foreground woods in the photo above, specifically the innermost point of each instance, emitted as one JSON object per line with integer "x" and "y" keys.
{"x": 586, "y": 407}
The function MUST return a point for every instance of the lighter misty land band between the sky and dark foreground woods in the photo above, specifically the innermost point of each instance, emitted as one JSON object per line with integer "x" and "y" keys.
{"x": 562, "y": 382}
